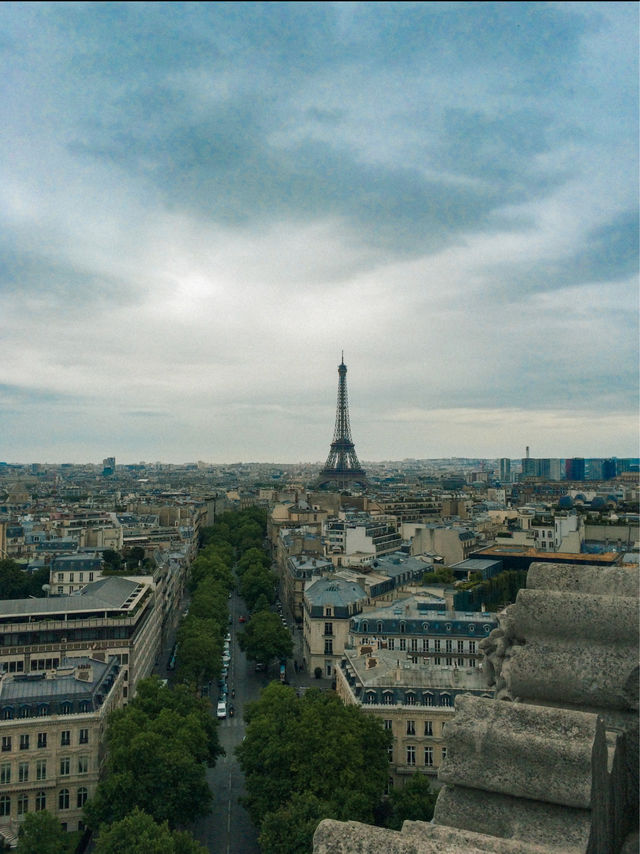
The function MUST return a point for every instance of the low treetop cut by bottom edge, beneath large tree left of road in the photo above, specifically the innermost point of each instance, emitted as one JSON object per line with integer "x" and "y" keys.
{"x": 138, "y": 833}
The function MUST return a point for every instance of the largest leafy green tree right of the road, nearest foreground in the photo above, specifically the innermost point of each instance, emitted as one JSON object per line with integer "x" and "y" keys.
{"x": 335, "y": 754}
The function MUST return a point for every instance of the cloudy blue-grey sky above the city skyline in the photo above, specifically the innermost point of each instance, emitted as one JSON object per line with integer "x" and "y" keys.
{"x": 203, "y": 204}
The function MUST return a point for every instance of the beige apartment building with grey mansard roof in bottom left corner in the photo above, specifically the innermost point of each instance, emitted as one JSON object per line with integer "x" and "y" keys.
{"x": 51, "y": 738}
